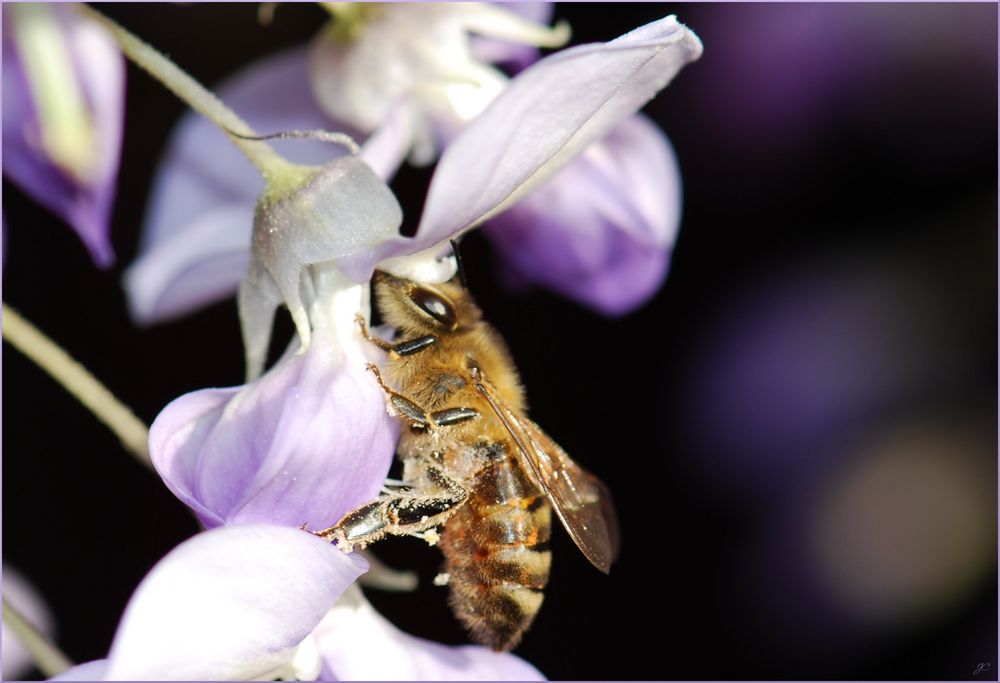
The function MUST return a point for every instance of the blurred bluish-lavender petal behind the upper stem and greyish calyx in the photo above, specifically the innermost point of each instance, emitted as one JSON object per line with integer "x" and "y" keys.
{"x": 196, "y": 237}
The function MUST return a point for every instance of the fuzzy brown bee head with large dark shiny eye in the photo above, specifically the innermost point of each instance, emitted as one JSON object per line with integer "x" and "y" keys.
{"x": 417, "y": 308}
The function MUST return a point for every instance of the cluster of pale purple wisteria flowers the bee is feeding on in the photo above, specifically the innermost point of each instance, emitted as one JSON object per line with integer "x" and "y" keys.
{"x": 581, "y": 195}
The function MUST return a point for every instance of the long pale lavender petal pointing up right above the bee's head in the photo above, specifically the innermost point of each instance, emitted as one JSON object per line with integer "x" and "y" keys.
{"x": 549, "y": 113}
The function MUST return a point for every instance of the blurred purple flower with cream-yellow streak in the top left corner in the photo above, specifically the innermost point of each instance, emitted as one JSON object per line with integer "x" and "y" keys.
{"x": 63, "y": 107}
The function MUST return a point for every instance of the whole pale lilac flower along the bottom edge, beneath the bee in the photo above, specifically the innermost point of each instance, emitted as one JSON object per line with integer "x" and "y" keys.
{"x": 257, "y": 602}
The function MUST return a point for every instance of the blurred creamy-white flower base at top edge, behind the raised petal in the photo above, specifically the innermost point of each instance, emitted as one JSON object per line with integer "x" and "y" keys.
{"x": 415, "y": 58}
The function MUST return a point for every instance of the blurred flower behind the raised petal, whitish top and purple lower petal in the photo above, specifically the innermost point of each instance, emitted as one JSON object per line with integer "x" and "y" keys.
{"x": 600, "y": 232}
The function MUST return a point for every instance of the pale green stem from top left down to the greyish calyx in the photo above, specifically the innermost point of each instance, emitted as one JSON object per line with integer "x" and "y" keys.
{"x": 267, "y": 161}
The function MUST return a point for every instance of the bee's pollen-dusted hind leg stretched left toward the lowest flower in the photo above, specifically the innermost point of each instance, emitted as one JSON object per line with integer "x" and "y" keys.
{"x": 400, "y": 515}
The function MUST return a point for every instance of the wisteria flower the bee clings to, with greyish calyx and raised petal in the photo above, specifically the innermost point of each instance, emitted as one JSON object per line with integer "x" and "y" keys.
{"x": 310, "y": 439}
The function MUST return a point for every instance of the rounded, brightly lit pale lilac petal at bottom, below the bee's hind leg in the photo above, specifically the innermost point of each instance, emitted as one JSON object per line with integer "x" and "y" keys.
{"x": 231, "y": 603}
